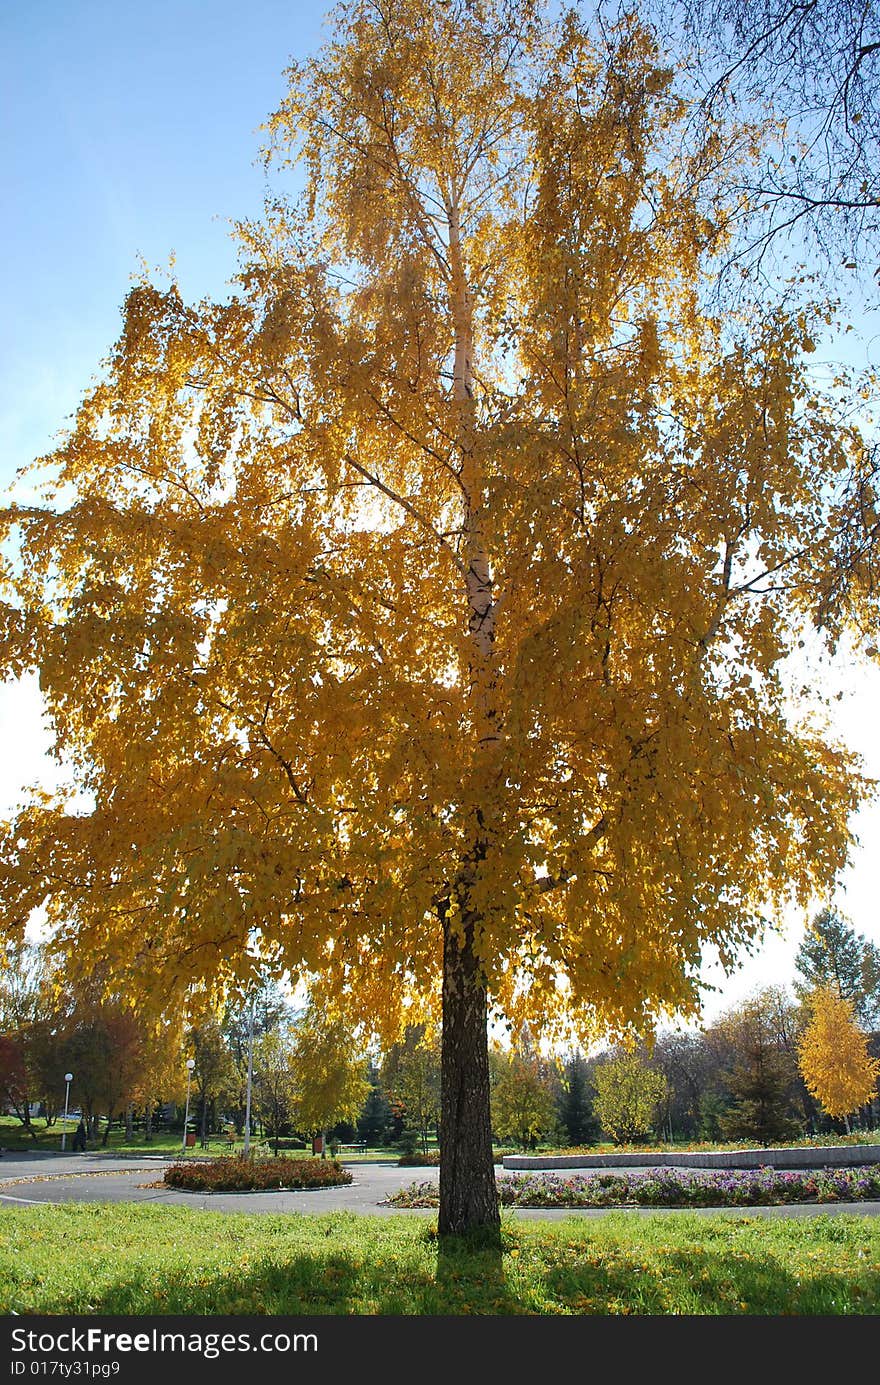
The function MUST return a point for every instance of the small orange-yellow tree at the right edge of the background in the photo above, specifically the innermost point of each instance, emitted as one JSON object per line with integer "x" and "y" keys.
{"x": 834, "y": 1056}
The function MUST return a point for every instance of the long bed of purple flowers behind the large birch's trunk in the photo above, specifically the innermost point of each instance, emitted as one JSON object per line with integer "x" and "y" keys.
{"x": 671, "y": 1188}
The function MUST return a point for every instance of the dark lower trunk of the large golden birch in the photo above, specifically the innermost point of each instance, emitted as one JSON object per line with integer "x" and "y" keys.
{"x": 468, "y": 1192}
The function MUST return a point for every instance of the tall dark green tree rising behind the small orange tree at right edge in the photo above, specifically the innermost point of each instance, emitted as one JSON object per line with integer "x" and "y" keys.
{"x": 834, "y": 955}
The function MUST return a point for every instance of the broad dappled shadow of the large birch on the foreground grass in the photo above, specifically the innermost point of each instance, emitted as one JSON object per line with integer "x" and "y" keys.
{"x": 454, "y": 1279}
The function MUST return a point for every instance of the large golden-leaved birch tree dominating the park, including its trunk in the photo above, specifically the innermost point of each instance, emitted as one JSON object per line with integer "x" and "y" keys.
{"x": 419, "y": 611}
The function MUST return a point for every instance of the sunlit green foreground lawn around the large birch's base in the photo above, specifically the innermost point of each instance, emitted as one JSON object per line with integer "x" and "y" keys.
{"x": 110, "y": 1258}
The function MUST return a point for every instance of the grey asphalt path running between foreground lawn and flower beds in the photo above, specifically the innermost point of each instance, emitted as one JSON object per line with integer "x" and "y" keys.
{"x": 37, "y": 1178}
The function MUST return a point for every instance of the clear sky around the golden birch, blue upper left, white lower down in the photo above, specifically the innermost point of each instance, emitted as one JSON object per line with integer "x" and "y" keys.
{"x": 131, "y": 132}
